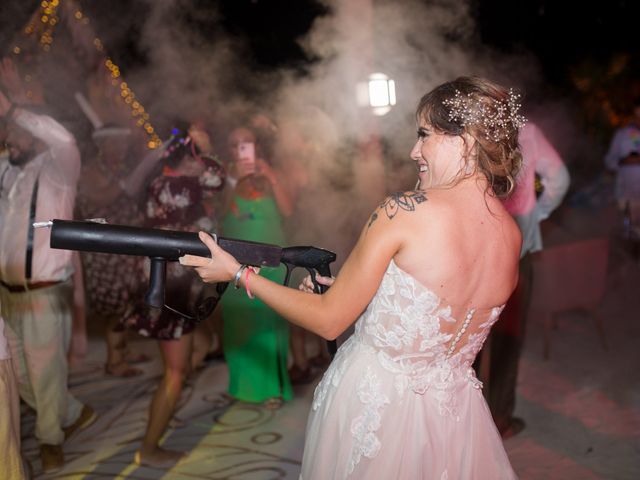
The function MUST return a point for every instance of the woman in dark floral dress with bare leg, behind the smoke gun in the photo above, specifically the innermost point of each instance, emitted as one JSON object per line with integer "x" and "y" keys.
{"x": 174, "y": 202}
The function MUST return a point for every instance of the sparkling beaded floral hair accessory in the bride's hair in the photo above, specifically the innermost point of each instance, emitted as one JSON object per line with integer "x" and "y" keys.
{"x": 498, "y": 117}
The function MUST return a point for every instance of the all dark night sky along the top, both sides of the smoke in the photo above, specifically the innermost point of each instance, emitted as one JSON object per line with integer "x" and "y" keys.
{"x": 574, "y": 42}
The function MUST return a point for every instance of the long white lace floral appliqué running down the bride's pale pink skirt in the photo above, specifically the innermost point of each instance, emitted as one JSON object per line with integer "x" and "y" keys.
{"x": 363, "y": 427}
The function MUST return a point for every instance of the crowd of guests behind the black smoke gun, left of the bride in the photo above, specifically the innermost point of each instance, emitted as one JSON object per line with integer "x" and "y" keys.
{"x": 49, "y": 296}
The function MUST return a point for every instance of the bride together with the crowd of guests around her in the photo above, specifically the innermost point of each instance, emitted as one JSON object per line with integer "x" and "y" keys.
{"x": 400, "y": 399}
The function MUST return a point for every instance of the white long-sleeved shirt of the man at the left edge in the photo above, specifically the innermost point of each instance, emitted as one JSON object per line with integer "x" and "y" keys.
{"x": 58, "y": 169}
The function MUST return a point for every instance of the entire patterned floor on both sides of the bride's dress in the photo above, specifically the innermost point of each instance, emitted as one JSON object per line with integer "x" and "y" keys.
{"x": 581, "y": 406}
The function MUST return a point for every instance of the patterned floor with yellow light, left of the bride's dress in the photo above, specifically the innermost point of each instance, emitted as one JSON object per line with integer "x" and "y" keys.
{"x": 237, "y": 441}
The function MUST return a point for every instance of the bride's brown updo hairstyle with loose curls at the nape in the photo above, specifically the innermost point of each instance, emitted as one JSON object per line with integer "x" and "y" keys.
{"x": 496, "y": 154}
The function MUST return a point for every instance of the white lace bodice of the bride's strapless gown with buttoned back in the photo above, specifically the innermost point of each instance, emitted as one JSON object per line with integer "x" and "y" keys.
{"x": 414, "y": 336}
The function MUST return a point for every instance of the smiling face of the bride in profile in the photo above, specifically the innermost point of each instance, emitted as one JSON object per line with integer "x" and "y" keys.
{"x": 438, "y": 157}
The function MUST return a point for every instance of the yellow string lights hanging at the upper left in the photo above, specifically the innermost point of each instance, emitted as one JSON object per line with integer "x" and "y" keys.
{"x": 48, "y": 19}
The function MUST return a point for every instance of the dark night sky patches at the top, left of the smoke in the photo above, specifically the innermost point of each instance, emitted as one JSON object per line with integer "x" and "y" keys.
{"x": 270, "y": 27}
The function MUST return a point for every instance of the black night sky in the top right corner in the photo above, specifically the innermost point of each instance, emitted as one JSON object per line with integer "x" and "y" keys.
{"x": 561, "y": 33}
